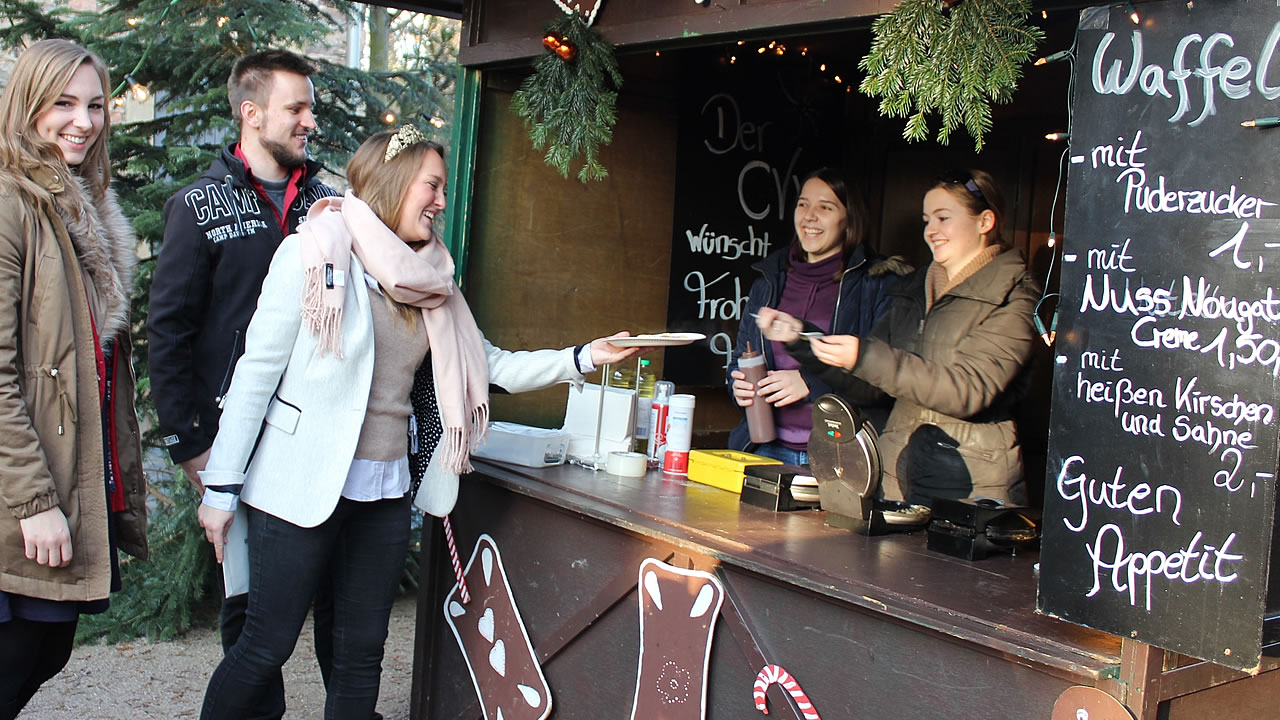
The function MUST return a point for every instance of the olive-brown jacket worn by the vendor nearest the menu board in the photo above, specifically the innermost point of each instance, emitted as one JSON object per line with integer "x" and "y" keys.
{"x": 958, "y": 373}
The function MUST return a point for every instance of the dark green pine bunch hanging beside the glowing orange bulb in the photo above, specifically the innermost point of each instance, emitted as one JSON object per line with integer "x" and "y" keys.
{"x": 568, "y": 104}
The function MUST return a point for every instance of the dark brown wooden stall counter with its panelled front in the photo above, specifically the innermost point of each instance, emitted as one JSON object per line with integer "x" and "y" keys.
{"x": 870, "y": 627}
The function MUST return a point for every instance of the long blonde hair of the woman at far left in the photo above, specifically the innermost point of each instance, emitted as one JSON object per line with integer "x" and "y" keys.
{"x": 39, "y": 80}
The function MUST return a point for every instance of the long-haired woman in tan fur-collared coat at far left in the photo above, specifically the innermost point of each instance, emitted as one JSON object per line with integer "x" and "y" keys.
{"x": 71, "y": 472}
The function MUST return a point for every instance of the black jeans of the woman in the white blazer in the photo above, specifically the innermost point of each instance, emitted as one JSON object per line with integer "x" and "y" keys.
{"x": 360, "y": 550}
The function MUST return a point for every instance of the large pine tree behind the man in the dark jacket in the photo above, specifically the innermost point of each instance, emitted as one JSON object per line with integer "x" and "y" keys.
{"x": 184, "y": 53}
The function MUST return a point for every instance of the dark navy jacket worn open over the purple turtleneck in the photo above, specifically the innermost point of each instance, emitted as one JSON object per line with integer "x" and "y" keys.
{"x": 863, "y": 299}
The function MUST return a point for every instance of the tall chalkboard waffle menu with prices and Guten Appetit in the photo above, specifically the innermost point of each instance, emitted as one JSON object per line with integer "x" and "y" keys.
{"x": 1162, "y": 486}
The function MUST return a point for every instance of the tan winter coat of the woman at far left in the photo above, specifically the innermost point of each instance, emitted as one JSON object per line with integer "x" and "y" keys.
{"x": 51, "y": 420}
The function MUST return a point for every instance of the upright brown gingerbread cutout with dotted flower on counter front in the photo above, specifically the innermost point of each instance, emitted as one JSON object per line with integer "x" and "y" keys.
{"x": 678, "y": 617}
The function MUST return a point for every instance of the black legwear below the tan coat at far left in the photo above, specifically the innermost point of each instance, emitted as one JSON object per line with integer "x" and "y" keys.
{"x": 31, "y": 653}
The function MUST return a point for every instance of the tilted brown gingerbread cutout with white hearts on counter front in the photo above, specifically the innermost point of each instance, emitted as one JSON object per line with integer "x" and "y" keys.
{"x": 506, "y": 673}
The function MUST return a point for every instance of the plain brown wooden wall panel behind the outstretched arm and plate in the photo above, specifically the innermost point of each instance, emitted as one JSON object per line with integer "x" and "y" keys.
{"x": 554, "y": 262}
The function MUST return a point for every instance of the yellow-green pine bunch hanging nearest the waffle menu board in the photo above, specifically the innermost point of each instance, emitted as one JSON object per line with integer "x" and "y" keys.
{"x": 927, "y": 61}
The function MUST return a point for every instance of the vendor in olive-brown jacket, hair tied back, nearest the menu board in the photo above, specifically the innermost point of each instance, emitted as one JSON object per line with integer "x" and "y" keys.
{"x": 953, "y": 350}
